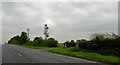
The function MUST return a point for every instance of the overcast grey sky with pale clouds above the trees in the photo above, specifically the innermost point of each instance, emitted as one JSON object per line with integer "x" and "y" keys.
{"x": 66, "y": 20}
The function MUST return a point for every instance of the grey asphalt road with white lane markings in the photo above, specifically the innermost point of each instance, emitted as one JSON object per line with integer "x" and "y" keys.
{"x": 18, "y": 54}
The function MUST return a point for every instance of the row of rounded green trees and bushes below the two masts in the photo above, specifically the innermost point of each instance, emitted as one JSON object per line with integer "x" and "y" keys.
{"x": 38, "y": 41}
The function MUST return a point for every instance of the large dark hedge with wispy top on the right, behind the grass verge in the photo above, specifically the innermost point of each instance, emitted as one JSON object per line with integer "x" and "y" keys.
{"x": 107, "y": 44}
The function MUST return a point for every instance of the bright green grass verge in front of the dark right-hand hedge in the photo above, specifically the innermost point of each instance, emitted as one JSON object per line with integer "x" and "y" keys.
{"x": 113, "y": 60}
